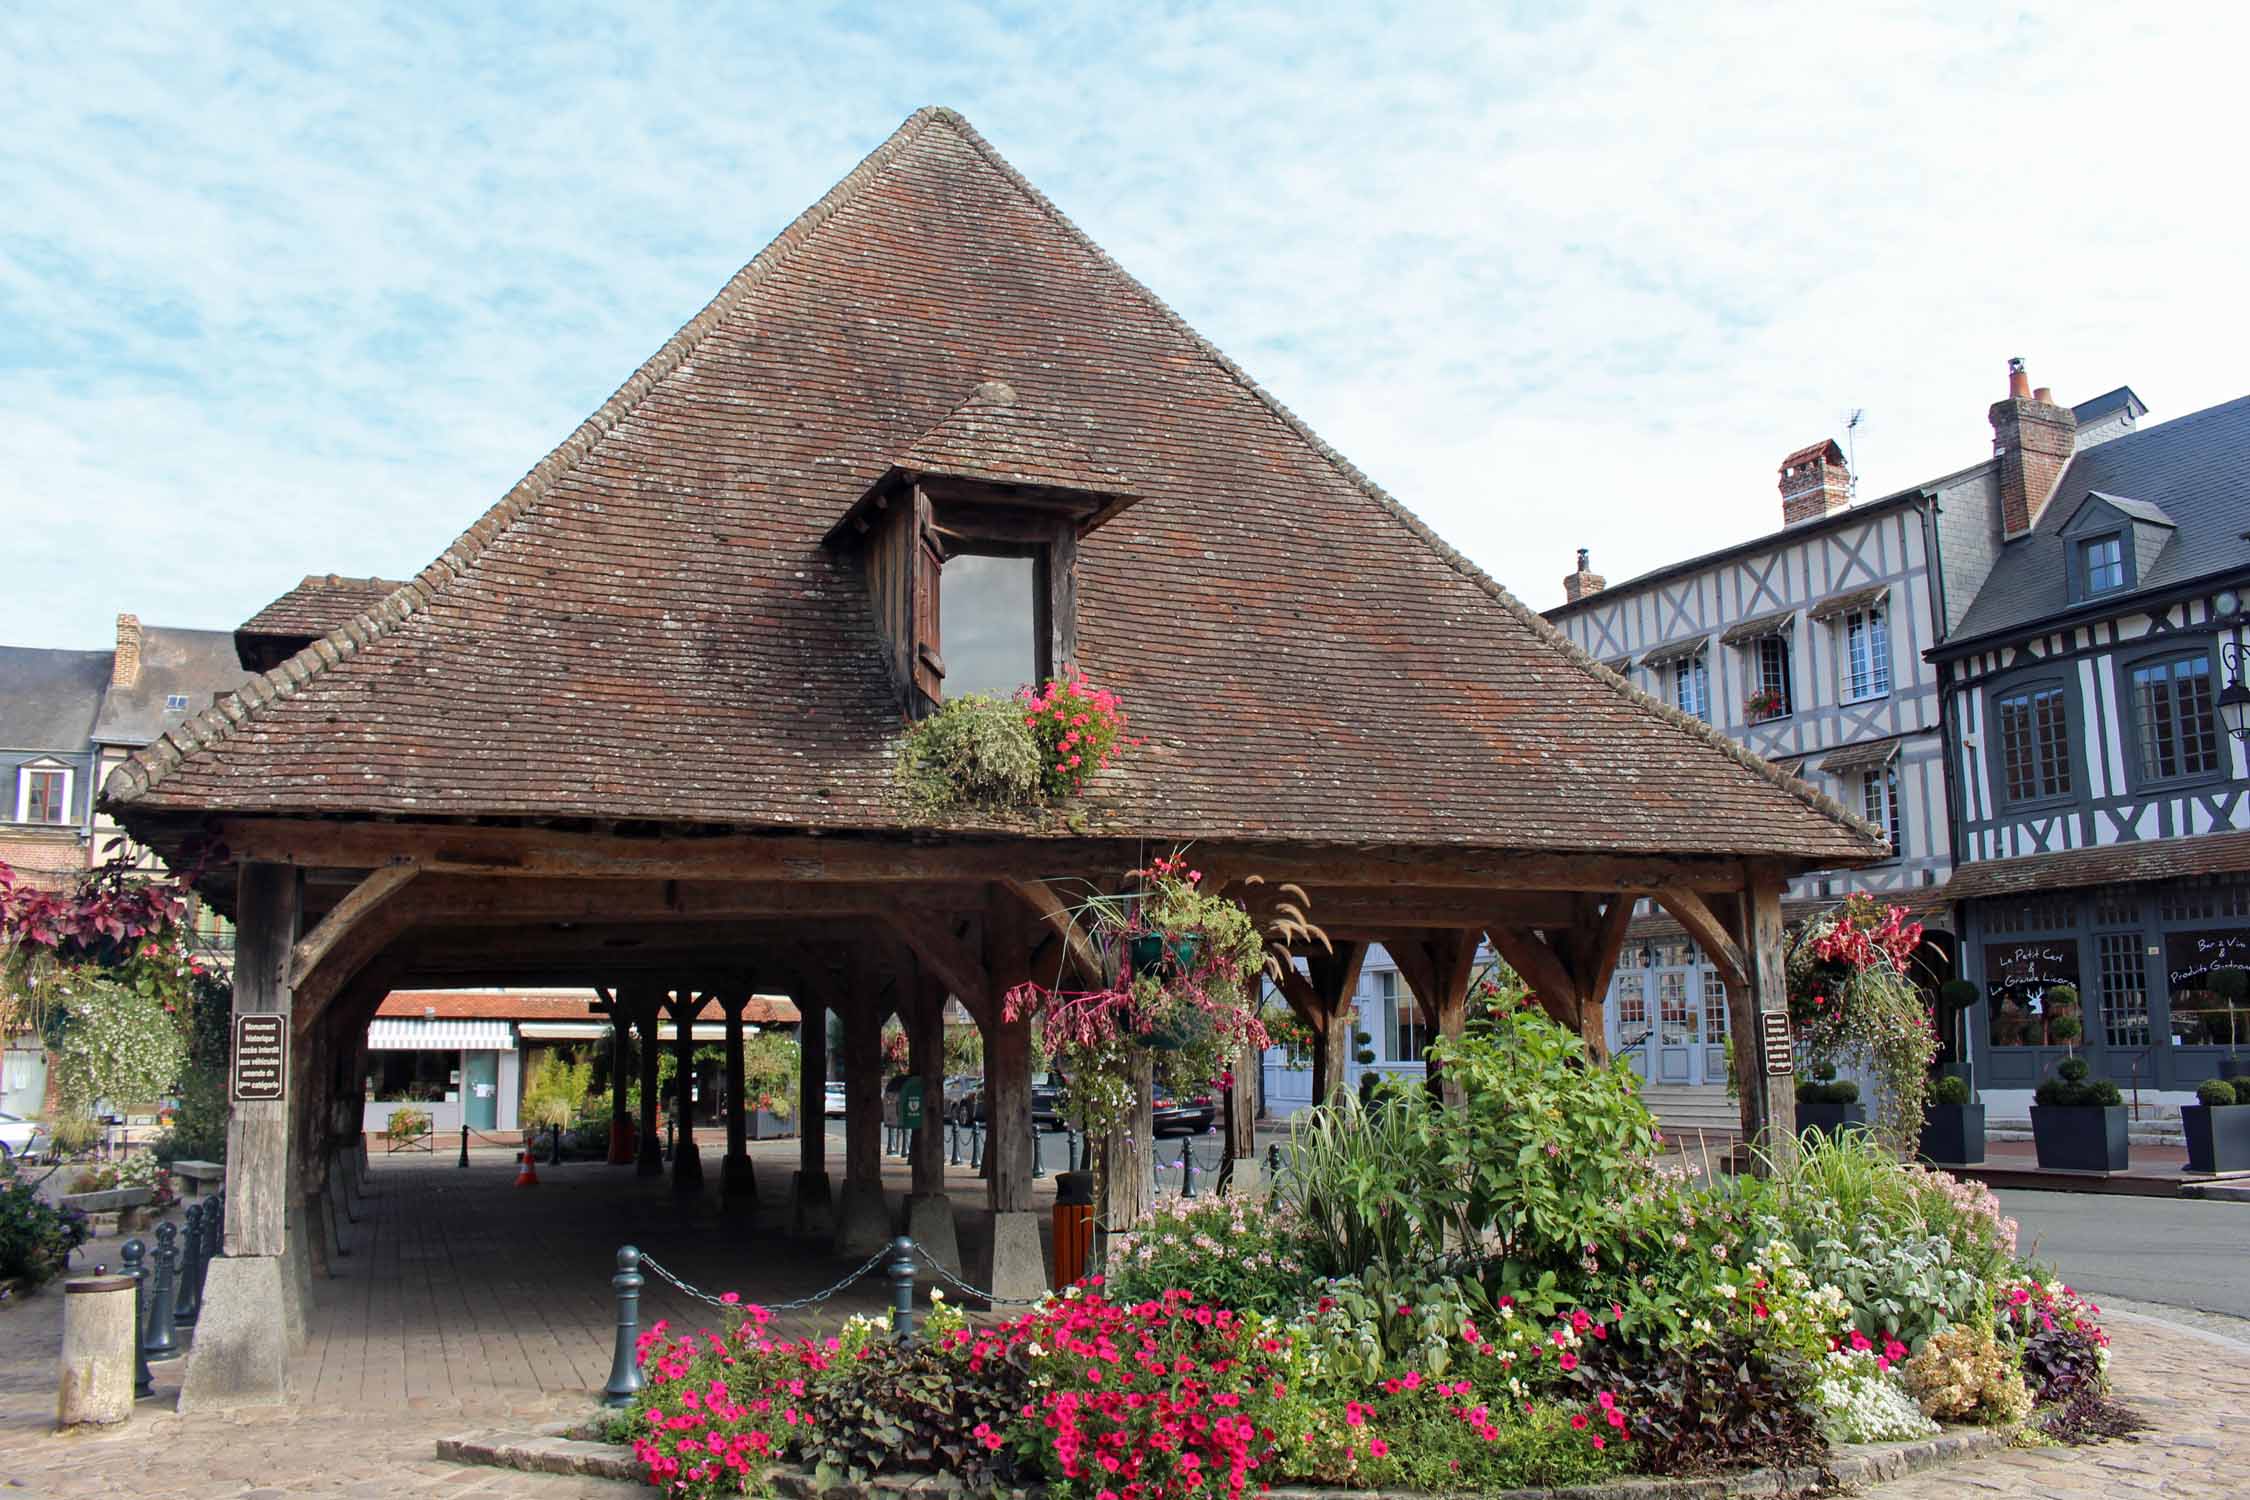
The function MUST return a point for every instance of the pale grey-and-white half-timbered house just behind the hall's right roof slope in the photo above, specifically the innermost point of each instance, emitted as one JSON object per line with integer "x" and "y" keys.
{"x": 1808, "y": 647}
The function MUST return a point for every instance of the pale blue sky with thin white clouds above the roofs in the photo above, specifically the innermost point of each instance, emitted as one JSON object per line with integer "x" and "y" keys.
{"x": 289, "y": 291}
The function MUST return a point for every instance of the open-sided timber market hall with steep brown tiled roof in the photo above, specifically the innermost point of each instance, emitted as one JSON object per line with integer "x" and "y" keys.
{"x": 638, "y": 725}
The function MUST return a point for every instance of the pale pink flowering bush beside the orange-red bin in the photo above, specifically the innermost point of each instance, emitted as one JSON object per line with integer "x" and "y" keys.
{"x": 1225, "y": 1251}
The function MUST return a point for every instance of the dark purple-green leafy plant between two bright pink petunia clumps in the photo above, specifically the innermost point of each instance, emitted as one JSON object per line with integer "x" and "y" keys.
{"x": 915, "y": 1409}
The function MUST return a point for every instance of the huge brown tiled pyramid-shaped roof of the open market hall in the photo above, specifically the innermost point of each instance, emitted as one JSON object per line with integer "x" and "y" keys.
{"x": 647, "y": 626}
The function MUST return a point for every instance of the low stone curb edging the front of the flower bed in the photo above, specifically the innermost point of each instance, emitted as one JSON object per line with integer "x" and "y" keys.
{"x": 1857, "y": 1465}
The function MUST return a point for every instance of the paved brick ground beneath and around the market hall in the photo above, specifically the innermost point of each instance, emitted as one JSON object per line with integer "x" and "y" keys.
{"x": 474, "y": 1305}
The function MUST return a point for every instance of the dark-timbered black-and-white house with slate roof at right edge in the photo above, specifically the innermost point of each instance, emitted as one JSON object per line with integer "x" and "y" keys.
{"x": 2103, "y": 806}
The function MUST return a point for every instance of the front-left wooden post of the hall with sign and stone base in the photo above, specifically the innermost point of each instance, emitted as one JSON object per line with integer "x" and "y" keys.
{"x": 251, "y": 1294}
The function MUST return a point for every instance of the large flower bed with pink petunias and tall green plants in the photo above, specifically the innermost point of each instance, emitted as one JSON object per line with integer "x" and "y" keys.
{"x": 1443, "y": 1299}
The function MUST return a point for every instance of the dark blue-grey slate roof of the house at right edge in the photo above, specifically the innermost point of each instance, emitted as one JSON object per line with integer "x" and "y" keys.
{"x": 2193, "y": 469}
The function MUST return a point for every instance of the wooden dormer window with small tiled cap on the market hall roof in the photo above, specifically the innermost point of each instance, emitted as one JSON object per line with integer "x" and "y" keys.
{"x": 971, "y": 550}
